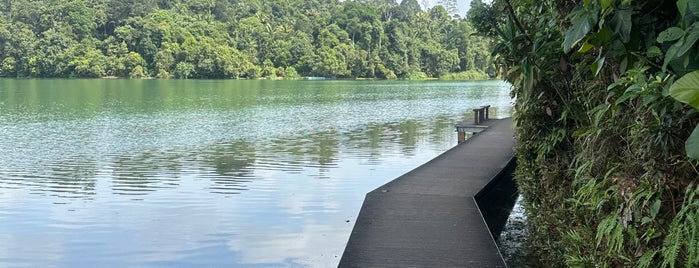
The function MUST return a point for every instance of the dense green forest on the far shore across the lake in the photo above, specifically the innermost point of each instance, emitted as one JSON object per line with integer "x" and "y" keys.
{"x": 237, "y": 39}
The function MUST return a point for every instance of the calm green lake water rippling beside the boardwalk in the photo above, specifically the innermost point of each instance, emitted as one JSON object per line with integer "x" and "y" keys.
{"x": 124, "y": 173}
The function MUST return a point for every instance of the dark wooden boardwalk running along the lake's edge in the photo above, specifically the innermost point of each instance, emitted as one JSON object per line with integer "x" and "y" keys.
{"x": 428, "y": 217}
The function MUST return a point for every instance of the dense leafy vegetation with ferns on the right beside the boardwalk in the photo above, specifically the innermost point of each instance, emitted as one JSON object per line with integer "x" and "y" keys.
{"x": 606, "y": 140}
